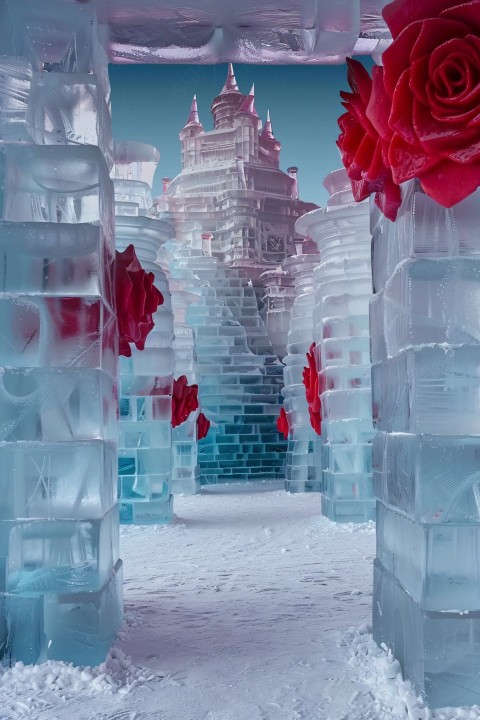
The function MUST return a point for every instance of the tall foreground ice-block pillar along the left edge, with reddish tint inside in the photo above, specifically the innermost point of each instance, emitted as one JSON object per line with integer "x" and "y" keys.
{"x": 61, "y": 577}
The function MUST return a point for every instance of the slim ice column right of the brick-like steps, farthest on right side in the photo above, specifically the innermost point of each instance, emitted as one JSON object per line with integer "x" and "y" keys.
{"x": 304, "y": 455}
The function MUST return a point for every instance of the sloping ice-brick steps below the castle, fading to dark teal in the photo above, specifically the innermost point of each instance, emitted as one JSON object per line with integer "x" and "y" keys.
{"x": 239, "y": 390}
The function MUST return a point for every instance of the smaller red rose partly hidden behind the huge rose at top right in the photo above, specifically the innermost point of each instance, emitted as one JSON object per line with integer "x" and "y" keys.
{"x": 363, "y": 150}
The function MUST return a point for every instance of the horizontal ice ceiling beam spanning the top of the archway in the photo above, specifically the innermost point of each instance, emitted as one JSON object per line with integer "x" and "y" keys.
{"x": 253, "y": 31}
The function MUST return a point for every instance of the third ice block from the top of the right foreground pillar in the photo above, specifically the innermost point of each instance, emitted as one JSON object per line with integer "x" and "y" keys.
{"x": 433, "y": 390}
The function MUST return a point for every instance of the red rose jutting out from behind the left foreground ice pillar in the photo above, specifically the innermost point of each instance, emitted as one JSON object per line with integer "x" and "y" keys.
{"x": 137, "y": 299}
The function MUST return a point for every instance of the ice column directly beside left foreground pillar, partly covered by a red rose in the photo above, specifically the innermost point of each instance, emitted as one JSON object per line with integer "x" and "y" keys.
{"x": 144, "y": 453}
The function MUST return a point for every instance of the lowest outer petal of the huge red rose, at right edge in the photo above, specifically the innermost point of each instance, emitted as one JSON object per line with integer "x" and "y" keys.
{"x": 449, "y": 183}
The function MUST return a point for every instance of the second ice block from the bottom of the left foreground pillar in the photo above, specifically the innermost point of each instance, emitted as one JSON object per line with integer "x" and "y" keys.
{"x": 57, "y": 556}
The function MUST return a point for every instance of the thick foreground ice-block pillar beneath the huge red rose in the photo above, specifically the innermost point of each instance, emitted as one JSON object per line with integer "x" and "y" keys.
{"x": 425, "y": 378}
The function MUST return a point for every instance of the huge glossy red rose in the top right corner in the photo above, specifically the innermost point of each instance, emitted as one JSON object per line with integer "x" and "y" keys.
{"x": 432, "y": 85}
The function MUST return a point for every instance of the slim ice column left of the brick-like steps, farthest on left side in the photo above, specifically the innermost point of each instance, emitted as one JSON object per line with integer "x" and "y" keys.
{"x": 185, "y": 469}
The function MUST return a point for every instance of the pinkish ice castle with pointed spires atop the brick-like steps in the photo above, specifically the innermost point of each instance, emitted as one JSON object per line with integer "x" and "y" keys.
{"x": 232, "y": 200}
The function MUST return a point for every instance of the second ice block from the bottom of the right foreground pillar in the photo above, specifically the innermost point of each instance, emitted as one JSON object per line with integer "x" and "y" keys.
{"x": 438, "y": 564}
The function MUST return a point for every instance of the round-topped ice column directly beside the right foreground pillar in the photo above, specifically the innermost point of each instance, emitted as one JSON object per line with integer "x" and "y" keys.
{"x": 343, "y": 290}
